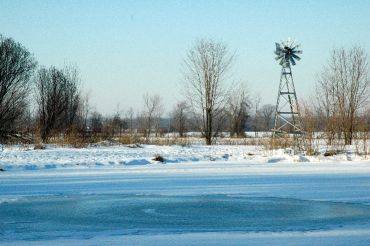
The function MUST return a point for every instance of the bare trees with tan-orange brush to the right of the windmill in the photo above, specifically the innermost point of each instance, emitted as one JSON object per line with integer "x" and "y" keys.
{"x": 340, "y": 109}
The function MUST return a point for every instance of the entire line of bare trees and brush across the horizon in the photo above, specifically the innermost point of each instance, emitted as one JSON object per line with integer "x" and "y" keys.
{"x": 209, "y": 106}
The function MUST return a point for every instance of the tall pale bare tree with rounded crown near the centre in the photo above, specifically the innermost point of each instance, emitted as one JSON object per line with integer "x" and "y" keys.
{"x": 205, "y": 69}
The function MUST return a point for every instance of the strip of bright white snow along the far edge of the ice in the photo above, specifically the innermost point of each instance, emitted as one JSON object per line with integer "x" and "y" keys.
{"x": 16, "y": 158}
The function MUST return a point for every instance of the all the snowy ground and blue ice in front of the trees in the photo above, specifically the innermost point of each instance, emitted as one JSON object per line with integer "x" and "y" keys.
{"x": 200, "y": 195}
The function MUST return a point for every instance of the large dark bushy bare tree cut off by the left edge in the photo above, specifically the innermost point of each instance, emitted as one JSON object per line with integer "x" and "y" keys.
{"x": 16, "y": 68}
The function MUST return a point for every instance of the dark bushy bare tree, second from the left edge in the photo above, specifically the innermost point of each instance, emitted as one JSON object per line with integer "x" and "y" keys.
{"x": 58, "y": 100}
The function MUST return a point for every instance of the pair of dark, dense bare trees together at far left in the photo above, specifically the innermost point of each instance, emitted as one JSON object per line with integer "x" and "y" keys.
{"x": 55, "y": 94}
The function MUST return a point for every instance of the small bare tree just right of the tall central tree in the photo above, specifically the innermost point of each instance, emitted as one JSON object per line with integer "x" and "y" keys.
{"x": 237, "y": 110}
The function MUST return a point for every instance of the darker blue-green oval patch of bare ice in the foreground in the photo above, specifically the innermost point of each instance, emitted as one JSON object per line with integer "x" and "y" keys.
{"x": 50, "y": 217}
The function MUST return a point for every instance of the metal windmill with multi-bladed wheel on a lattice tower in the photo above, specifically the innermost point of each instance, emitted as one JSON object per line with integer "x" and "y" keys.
{"x": 287, "y": 115}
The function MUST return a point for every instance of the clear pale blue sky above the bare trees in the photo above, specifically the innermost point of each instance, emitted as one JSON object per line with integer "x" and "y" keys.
{"x": 126, "y": 48}
